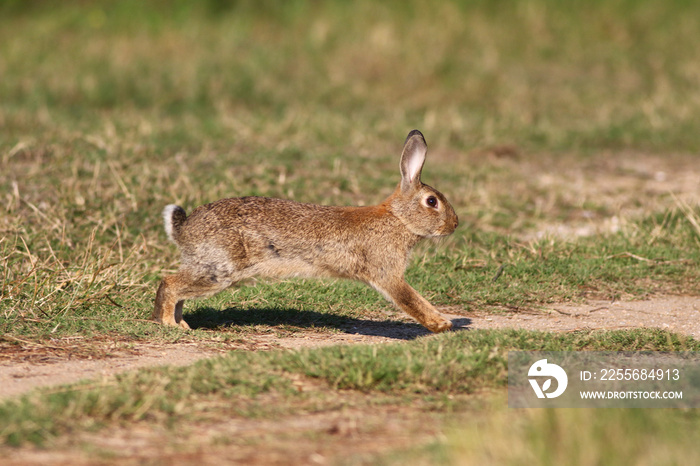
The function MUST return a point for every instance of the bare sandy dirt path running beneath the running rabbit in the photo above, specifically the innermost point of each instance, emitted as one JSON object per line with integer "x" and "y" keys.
{"x": 45, "y": 368}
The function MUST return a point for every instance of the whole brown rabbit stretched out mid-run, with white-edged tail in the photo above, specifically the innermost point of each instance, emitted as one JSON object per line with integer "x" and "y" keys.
{"x": 230, "y": 240}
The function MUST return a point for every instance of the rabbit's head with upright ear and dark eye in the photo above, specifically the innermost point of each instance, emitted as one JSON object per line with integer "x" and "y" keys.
{"x": 422, "y": 209}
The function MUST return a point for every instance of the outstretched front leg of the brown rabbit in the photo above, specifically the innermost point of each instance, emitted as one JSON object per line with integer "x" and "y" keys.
{"x": 412, "y": 303}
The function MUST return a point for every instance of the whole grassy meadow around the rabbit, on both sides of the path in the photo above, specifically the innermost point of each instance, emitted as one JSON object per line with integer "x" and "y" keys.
{"x": 565, "y": 136}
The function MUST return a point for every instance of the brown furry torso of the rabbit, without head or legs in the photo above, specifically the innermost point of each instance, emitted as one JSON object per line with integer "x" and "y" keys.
{"x": 233, "y": 239}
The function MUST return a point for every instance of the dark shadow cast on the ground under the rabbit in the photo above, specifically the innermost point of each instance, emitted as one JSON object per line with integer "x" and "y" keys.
{"x": 212, "y": 319}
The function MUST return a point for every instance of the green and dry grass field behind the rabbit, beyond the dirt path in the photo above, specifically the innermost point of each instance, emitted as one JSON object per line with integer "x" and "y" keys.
{"x": 190, "y": 106}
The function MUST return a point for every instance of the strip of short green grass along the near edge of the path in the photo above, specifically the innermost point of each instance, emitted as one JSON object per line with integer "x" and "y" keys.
{"x": 427, "y": 368}
